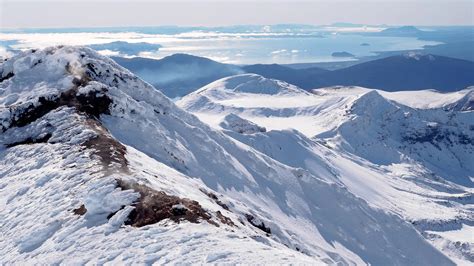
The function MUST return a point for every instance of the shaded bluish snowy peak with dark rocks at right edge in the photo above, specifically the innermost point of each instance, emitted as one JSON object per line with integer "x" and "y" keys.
{"x": 385, "y": 132}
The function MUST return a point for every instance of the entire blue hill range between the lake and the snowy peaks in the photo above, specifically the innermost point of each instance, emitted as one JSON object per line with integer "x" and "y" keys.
{"x": 181, "y": 74}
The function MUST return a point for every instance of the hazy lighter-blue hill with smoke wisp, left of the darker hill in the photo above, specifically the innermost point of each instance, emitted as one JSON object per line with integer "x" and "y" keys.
{"x": 179, "y": 74}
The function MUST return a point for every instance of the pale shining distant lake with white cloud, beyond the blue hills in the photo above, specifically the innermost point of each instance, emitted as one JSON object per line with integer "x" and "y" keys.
{"x": 236, "y": 48}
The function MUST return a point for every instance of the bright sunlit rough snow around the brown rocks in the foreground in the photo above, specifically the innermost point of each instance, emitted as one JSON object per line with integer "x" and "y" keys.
{"x": 43, "y": 183}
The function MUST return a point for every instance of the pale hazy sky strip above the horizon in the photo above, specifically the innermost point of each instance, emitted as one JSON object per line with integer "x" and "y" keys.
{"x": 73, "y": 13}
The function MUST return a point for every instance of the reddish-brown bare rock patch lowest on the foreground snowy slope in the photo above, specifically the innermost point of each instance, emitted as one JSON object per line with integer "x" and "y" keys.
{"x": 154, "y": 206}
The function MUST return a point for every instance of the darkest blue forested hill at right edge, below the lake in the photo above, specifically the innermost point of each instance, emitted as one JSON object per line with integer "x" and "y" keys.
{"x": 405, "y": 72}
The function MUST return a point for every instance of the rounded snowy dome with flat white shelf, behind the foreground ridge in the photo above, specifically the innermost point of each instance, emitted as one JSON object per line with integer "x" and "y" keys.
{"x": 273, "y": 111}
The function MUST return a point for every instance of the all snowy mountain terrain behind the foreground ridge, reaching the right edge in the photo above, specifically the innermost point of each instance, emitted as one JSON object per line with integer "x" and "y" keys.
{"x": 408, "y": 153}
